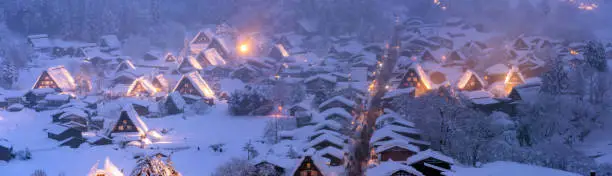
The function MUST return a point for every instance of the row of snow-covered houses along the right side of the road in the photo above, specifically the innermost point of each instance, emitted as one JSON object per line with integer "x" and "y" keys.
{"x": 397, "y": 149}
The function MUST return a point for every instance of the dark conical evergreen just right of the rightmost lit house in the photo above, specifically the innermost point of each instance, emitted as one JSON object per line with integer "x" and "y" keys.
{"x": 555, "y": 80}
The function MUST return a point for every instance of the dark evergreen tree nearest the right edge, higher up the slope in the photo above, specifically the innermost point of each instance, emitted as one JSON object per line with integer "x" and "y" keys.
{"x": 595, "y": 56}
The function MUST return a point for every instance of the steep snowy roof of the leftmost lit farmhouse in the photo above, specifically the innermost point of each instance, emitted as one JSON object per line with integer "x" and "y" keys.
{"x": 60, "y": 76}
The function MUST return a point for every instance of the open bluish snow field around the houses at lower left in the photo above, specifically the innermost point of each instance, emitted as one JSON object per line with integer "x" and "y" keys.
{"x": 24, "y": 129}
